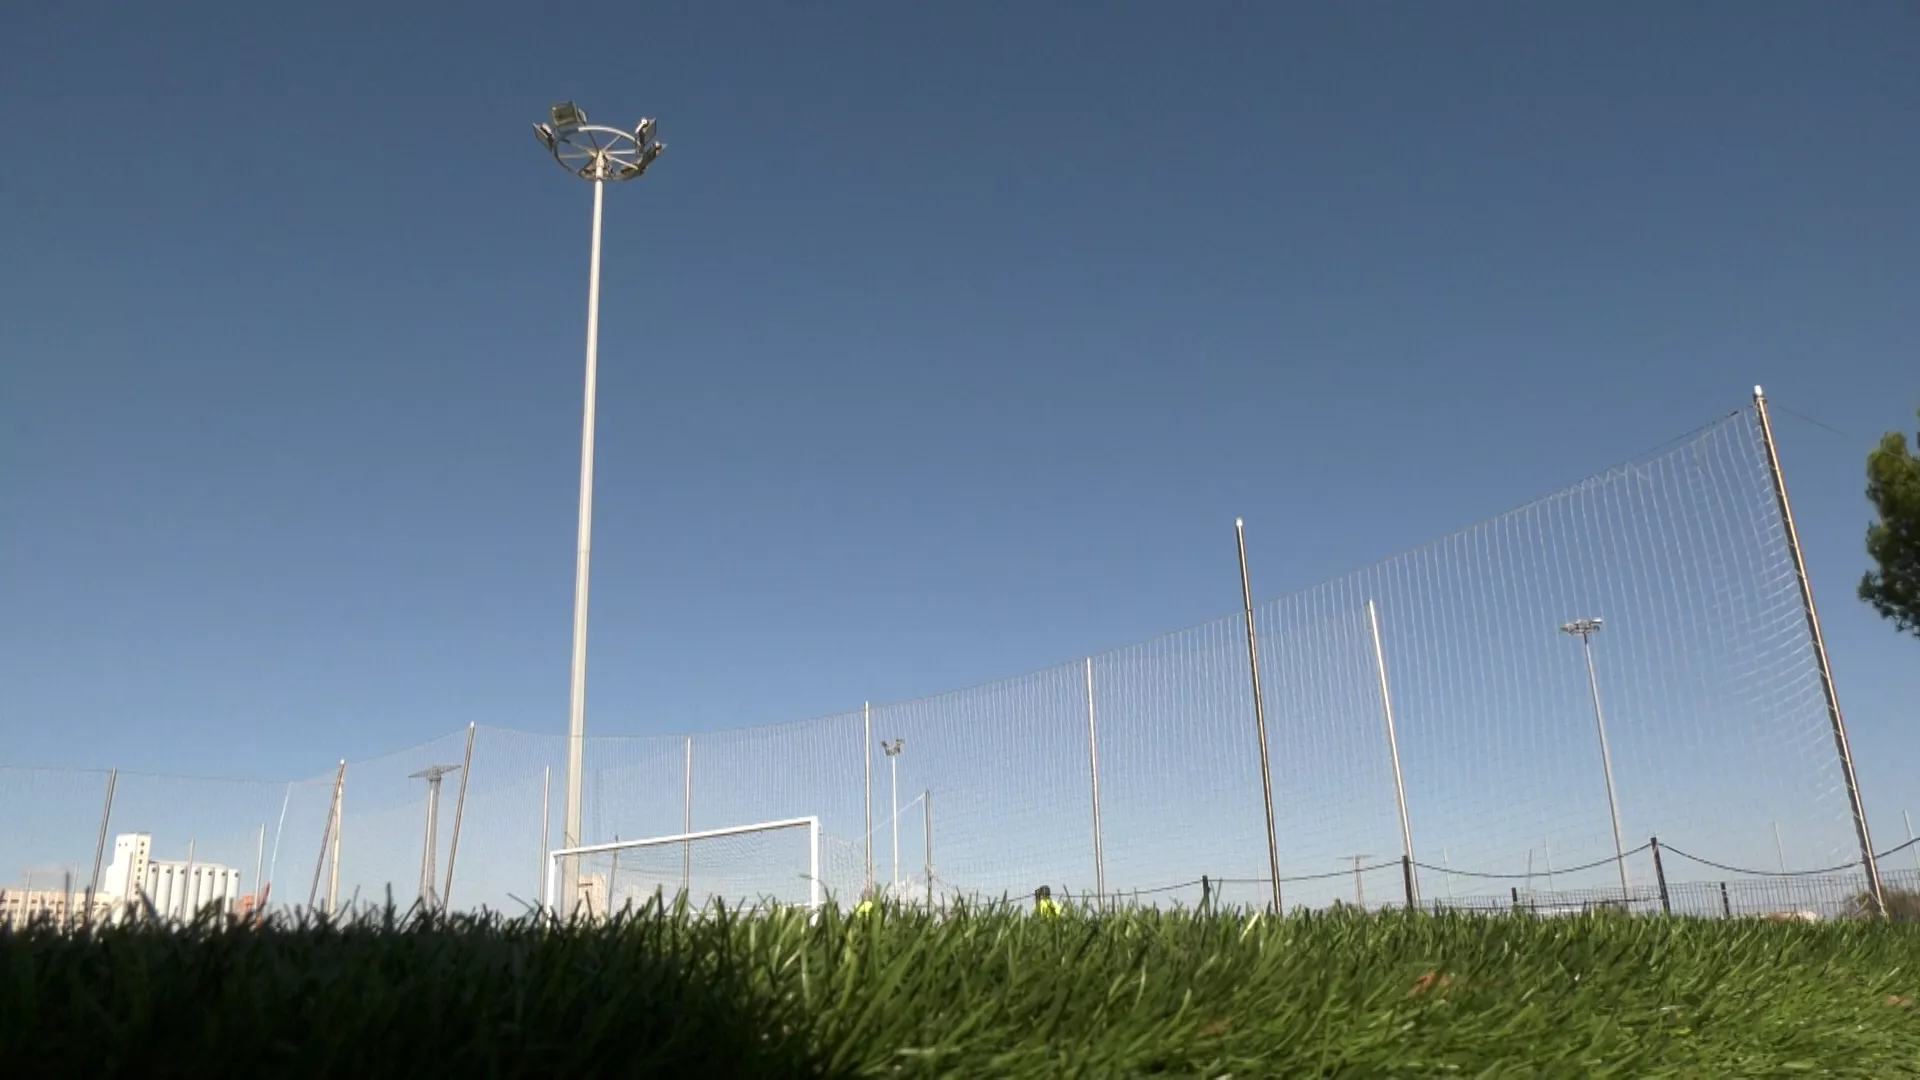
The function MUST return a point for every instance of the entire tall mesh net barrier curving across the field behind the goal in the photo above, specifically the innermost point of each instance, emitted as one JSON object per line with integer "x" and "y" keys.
{"x": 1433, "y": 731}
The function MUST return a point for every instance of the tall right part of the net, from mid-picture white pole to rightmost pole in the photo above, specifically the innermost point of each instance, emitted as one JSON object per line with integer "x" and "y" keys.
{"x": 1702, "y": 664}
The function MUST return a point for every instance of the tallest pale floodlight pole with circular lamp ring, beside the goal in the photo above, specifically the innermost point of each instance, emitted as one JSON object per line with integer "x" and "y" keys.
{"x": 596, "y": 155}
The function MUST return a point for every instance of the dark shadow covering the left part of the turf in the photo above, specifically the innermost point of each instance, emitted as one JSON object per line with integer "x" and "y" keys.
{"x": 385, "y": 993}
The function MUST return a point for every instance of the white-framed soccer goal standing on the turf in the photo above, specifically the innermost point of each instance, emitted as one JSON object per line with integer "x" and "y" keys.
{"x": 763, "y": 864}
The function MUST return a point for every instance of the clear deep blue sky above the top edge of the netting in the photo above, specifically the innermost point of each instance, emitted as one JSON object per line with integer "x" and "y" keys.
{"x": 940, "y": 347}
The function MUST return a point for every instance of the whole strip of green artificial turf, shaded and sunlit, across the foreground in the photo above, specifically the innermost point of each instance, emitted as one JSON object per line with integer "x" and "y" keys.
{"x": 972, "y": 994}
